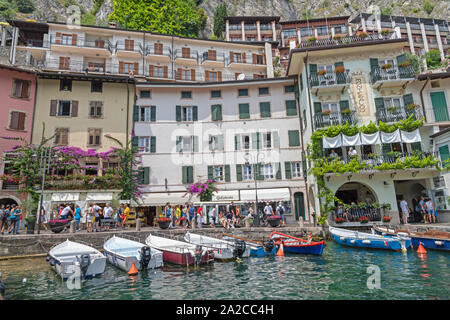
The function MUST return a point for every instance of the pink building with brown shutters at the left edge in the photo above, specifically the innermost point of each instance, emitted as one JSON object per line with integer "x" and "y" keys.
{"x": 17, "y": 93}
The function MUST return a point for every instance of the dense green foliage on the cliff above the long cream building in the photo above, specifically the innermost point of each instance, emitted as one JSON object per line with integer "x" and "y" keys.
{"x": 178, "y": 17}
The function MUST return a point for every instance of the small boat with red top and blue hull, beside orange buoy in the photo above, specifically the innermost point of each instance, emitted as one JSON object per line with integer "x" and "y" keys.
{"x": 293, "y": 244}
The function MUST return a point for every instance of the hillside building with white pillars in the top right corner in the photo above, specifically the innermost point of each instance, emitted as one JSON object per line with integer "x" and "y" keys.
{"x": 422, "y": 34}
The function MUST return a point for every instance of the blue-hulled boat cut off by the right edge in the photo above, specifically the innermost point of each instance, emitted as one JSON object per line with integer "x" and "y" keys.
{"x": 430, "y": 239}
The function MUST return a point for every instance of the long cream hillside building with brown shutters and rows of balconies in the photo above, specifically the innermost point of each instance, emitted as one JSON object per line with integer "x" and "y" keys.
{"x": 143, "y": 55}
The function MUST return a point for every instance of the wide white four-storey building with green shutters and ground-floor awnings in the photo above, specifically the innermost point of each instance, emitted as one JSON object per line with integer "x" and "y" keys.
{"x": 243, "y": 134}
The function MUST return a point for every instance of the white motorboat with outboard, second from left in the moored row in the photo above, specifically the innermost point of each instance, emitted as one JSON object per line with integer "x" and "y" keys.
{"x": 123, "y": 252}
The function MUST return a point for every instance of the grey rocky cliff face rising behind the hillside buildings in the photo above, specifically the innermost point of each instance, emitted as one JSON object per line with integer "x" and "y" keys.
{"x": 48, "y": 10}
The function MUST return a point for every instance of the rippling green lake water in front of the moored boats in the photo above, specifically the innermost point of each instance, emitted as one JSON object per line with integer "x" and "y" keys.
{"x": 341, "y": 273}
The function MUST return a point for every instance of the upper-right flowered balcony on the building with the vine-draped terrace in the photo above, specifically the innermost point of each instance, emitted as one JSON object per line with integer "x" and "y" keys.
{"x": 391, "y": 77}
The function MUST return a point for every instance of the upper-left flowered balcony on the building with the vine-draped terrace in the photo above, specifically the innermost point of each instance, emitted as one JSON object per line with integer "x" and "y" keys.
{"x": 330, "y": 81}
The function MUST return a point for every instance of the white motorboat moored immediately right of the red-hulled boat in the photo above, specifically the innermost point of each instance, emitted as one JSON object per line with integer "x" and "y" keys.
{"x": 223, "y": 249}
